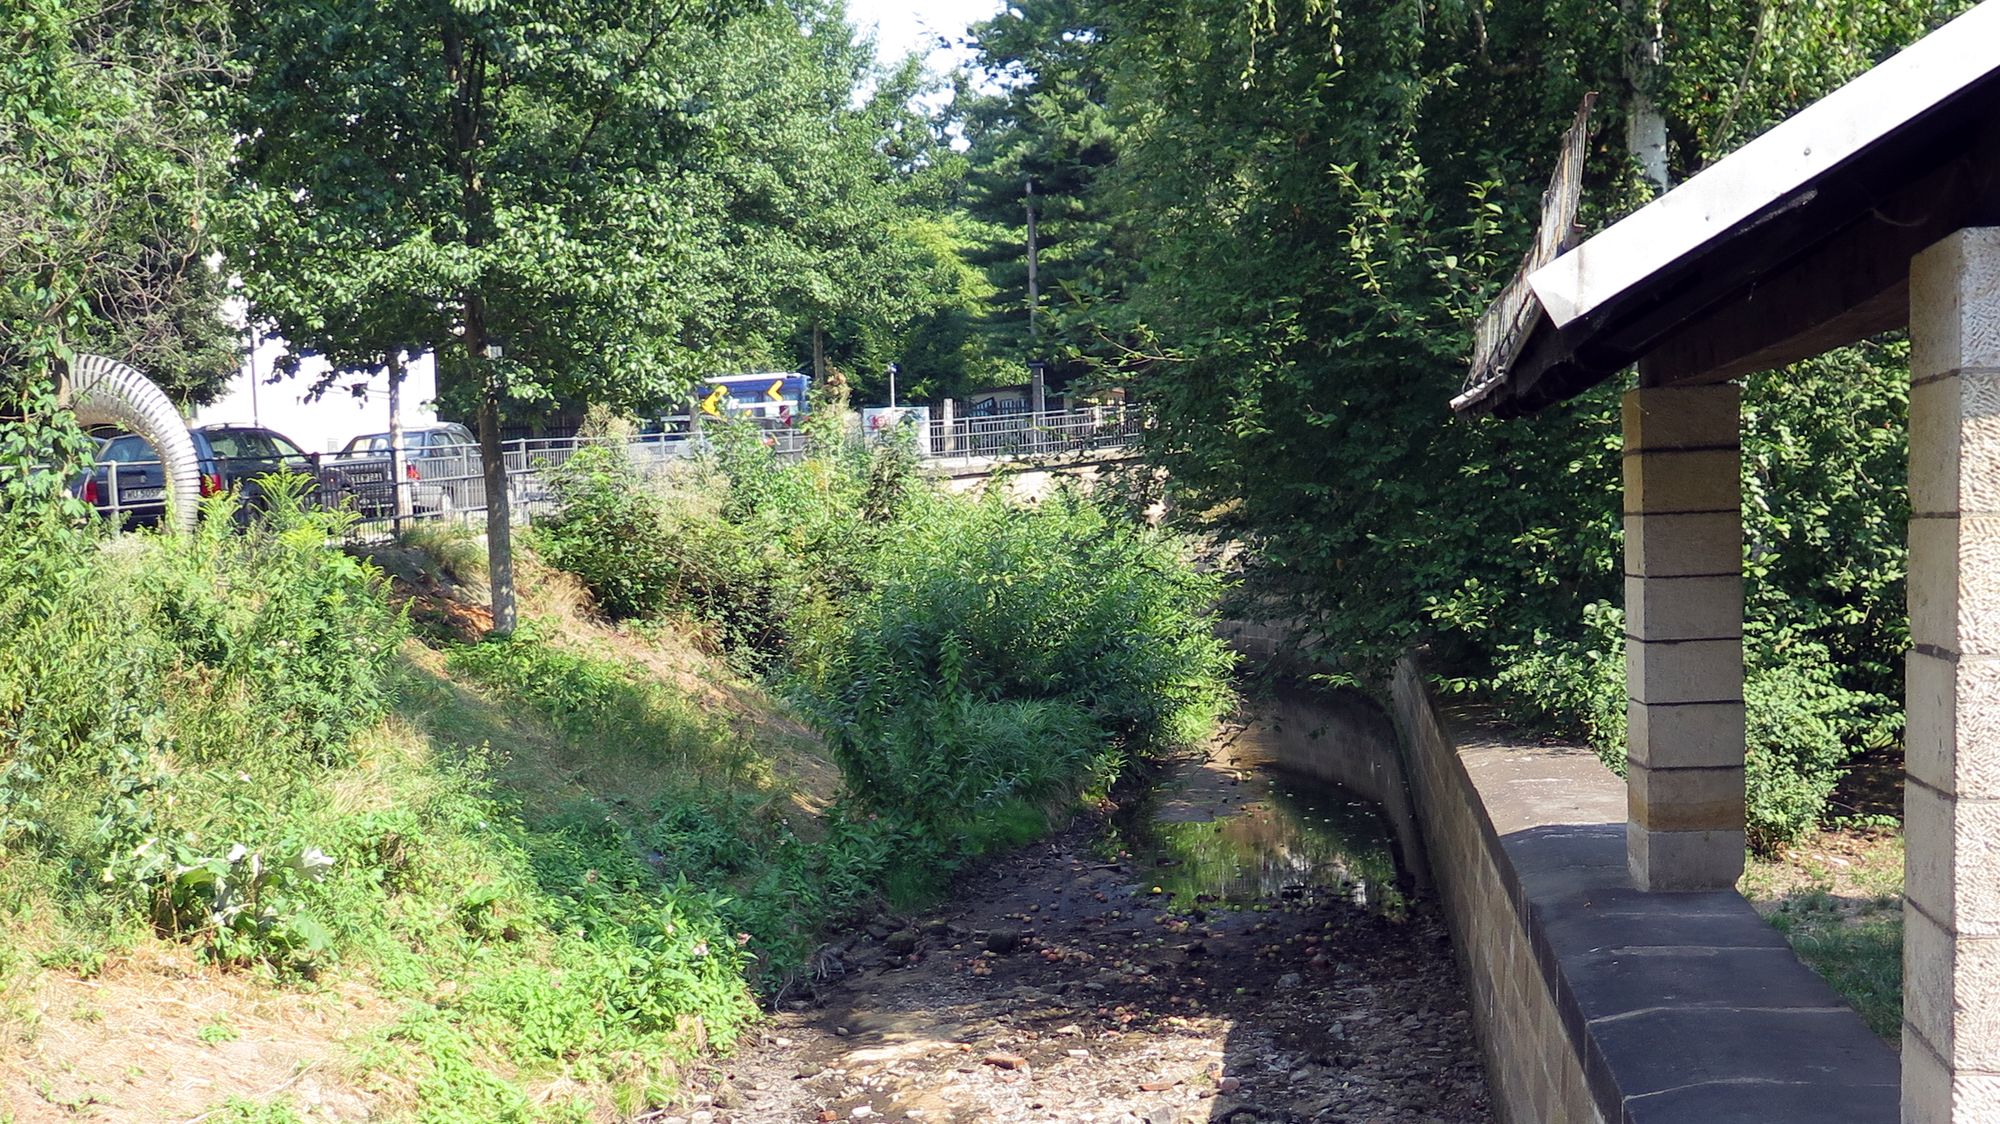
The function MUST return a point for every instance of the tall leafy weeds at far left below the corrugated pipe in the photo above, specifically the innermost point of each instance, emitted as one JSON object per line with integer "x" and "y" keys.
{"x": 149, "y": 697}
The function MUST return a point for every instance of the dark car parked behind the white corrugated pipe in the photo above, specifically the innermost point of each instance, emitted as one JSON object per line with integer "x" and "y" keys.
{"x": 131, "y": 483}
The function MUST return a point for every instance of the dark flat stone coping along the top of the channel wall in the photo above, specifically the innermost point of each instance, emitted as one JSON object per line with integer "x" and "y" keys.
{"x": 1685, "y": 1009}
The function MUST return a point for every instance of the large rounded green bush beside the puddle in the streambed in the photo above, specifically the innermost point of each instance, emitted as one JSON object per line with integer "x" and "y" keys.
{"x": 1007, "y": 653}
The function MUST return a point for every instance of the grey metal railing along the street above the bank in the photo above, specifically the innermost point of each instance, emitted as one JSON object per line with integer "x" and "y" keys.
{"x": 451, "y": 485}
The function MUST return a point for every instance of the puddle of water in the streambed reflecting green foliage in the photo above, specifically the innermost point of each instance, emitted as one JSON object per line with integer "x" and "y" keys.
{"x": 1271, "y": 835}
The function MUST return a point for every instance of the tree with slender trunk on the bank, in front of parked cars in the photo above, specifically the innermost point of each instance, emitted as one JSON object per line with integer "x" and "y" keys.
{"x": 503, "y": 183}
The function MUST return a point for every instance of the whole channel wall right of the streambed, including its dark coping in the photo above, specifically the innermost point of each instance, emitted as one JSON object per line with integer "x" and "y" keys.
{"x": 1597, "y": 1003}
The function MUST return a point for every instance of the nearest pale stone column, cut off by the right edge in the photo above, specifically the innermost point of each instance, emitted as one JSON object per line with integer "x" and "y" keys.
{"x": 1951, "y": 951}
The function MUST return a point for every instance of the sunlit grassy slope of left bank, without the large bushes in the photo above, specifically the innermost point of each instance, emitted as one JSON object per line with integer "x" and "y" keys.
{"x": 479, "y": 905}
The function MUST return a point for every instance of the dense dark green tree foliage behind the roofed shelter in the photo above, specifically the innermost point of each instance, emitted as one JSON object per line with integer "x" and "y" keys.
{"x": 1317, "y": 201}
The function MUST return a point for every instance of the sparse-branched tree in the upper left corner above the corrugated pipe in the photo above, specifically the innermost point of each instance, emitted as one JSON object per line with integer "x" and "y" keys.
{"x": 111, "y": 157}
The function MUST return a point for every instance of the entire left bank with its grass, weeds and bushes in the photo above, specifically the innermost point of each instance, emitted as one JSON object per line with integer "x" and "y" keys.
{"x": 287, "y": 841}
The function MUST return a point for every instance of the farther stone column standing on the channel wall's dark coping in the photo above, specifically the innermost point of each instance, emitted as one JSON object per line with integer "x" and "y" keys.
{"x": 1685, "y": 661}
